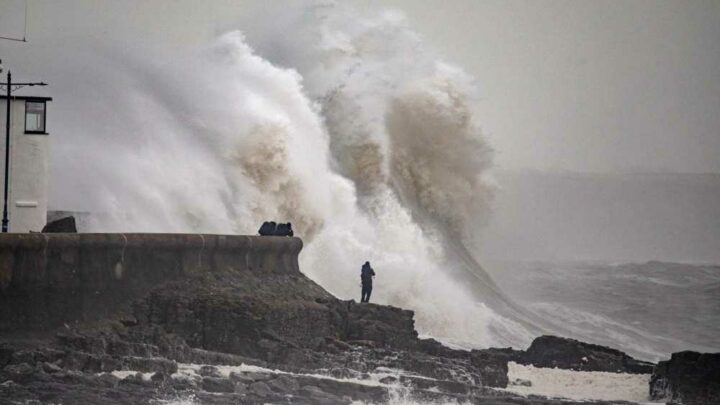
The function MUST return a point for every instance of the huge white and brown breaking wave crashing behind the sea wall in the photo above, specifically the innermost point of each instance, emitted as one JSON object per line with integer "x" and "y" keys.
{"x": 359, "y": 136}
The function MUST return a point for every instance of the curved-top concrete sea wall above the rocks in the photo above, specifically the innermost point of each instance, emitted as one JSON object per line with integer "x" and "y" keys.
{"x": 47, "y": 280}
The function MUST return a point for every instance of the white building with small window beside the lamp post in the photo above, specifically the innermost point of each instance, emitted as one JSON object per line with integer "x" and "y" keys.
{"x": 28, "y": 169}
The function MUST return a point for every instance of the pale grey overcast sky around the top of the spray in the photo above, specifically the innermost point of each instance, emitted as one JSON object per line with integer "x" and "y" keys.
{"x": 586, "y": 85}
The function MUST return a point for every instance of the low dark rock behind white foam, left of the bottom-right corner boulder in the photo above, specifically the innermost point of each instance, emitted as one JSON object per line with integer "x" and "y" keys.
{"x": 553, "y": 351}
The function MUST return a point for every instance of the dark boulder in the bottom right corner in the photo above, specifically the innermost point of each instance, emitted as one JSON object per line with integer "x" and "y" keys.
{"x": 688, "y": 377}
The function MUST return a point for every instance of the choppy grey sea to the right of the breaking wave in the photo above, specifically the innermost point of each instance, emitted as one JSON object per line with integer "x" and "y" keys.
{"x": 648, "y": 310}
